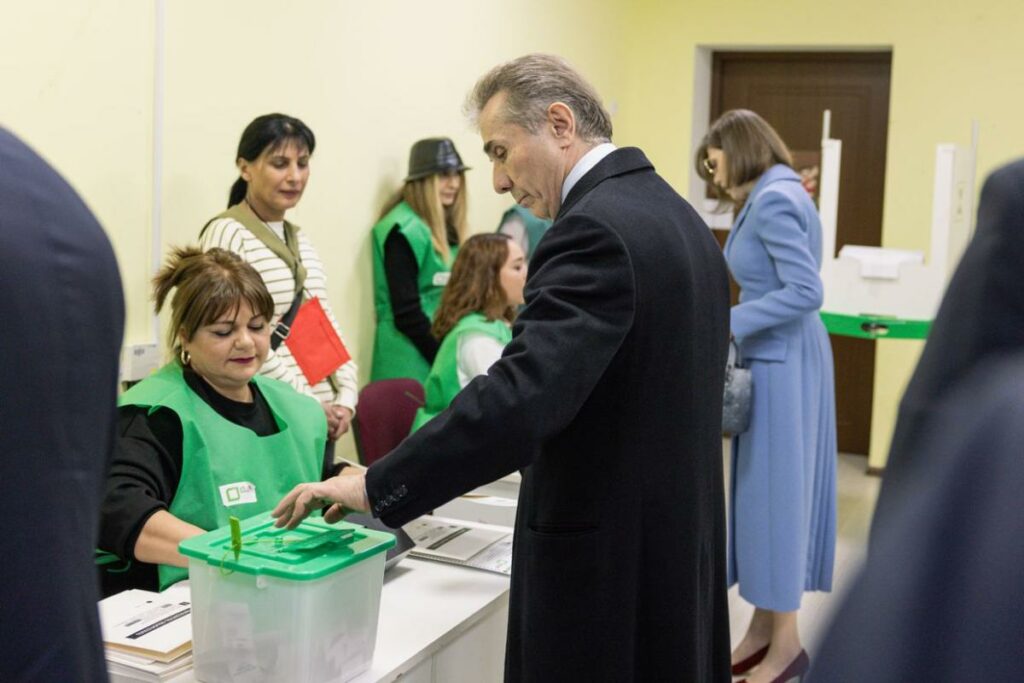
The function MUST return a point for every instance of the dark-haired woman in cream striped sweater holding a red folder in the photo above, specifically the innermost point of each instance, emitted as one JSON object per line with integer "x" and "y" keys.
{"x": 274, "y": 168}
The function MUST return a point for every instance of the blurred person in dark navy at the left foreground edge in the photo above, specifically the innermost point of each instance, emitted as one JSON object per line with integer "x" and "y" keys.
{"x": 64, "y": 315}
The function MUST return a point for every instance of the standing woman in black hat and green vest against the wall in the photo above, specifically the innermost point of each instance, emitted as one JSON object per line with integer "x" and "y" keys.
{"x": 414, "y": 243}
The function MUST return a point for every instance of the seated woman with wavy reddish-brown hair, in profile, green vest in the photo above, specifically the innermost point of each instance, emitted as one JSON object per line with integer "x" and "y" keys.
{"x": 475, "y": 318}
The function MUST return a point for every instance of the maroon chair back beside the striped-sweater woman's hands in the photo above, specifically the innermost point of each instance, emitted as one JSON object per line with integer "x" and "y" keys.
{"x": 385, "y": 417}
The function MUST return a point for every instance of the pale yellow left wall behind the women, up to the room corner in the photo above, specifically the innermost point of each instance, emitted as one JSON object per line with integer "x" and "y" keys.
{"x": 370, "y": 78}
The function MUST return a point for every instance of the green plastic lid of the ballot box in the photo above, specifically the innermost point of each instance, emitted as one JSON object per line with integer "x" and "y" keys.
{"x": 313, "y": 550}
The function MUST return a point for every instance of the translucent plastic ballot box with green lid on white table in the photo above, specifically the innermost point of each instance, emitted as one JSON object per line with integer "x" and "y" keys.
{"x": 285, "y": 606}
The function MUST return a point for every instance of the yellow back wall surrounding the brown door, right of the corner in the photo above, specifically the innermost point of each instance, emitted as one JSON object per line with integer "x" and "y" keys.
{"x": 953, "y": 62}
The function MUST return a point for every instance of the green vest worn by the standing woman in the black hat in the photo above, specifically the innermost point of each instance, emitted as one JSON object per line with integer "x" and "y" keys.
{"x": 395, "y": 354}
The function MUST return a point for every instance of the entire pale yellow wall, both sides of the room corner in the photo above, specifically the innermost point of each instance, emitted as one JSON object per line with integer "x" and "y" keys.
{"x": 78, "y": 82}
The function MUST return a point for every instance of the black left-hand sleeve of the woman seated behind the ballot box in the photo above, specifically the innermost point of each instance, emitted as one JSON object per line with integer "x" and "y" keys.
{"x": 144, "y": 478}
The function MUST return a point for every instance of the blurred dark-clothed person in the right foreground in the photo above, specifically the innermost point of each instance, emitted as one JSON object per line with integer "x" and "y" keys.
{"x": 941, "y": 597}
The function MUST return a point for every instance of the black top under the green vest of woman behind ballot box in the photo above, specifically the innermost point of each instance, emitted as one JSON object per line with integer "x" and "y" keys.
{"x": 147, "y": 469}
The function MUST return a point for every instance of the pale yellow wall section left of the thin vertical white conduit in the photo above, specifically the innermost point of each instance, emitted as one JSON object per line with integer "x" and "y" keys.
{"x": 76, "y": 83}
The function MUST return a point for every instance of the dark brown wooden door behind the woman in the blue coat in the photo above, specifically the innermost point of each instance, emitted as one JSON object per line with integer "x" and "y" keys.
{"x": 791, "y": 91}
